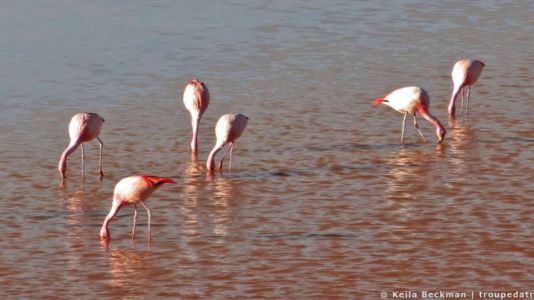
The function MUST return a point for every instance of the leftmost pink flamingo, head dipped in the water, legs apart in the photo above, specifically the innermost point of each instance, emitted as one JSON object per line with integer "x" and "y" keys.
{"x": 83, "y": 127}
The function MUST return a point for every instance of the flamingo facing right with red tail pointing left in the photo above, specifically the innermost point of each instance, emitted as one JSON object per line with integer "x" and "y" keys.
{"x": 410, "y": 100}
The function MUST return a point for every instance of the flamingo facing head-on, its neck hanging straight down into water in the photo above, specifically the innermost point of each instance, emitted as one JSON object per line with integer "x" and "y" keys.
{"x": 196, "y": 100}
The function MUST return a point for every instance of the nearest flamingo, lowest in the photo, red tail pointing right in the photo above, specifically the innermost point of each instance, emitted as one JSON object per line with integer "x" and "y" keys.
{"x": 132, "y": 190}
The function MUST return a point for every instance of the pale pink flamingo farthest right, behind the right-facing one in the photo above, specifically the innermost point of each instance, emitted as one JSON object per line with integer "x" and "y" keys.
{"x": 464, "y": 73}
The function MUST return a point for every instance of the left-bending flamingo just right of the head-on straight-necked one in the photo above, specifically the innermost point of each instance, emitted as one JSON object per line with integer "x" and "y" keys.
{"x": 228, "y": 129}
